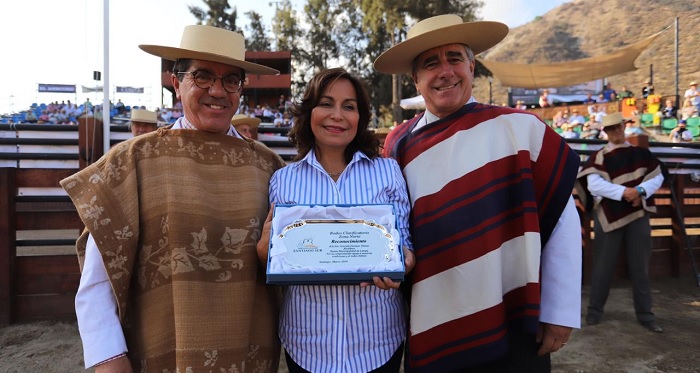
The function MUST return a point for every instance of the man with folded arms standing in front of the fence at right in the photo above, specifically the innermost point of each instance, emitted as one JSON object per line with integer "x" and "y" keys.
{"x": 618, "y": 181}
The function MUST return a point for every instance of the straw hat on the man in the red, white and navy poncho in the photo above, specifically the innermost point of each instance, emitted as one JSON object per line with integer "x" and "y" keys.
{"x": 434, "y": 32}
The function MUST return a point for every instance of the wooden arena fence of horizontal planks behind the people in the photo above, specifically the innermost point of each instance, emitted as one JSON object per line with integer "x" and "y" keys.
{"x": 42, "y": 286}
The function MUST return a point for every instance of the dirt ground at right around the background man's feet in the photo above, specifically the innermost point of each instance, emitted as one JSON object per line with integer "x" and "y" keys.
{"x": 620, "y": 345}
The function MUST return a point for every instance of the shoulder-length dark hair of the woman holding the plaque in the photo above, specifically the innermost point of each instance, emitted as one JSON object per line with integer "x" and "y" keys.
{"x": 301, "y": 135}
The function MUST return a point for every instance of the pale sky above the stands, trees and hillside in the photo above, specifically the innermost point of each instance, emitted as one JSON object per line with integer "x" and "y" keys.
{"x": 61, "y": 42}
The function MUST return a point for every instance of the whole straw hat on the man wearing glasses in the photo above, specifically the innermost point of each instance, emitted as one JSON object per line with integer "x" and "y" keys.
{"x": 210, "y": 44}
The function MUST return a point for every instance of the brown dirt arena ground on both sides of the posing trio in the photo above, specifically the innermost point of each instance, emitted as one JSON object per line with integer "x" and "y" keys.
{"x": 617, "y": 345}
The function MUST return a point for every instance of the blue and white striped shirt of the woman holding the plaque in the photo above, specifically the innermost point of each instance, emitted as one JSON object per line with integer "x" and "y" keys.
{"x": 343, "y": 328}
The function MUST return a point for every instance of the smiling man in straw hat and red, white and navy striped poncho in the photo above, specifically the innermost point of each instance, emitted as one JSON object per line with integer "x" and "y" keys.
{"x": 497, "y": 238}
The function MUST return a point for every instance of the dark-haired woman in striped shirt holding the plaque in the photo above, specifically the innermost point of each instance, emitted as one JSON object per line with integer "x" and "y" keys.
{"x": 341, "y": 328}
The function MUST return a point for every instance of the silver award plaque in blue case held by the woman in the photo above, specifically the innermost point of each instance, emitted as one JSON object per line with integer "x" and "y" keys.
{"x": 334, "y": 244}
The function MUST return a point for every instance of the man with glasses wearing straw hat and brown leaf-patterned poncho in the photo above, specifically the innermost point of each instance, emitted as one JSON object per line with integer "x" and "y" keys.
{"x": 170, "y": 276}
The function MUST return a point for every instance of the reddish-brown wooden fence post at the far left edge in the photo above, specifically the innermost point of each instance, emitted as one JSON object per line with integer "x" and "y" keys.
{"x": 8, "y": 235}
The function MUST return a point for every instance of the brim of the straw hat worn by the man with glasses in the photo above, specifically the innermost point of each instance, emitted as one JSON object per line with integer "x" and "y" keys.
{"x": 173, "y": 54}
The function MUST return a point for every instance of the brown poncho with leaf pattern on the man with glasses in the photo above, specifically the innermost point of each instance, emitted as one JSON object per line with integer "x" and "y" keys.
{"x": 176, "y": 215}
